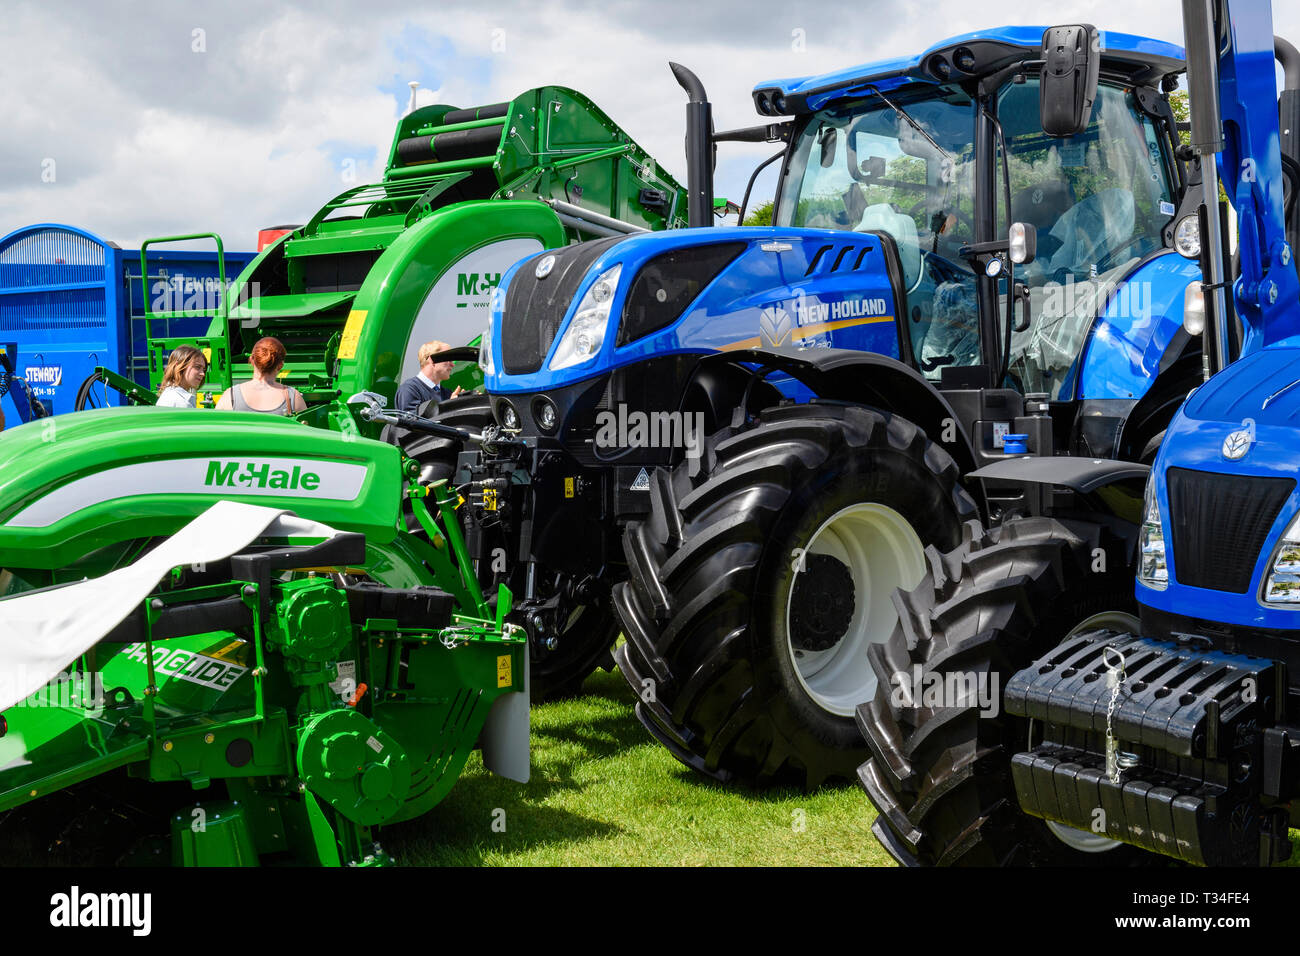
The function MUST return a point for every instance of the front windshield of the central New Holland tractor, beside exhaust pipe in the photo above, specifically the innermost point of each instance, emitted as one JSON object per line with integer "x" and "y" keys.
{"x": 863, "y": 167}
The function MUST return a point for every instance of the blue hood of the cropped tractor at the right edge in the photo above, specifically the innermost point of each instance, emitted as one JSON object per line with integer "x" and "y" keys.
{"x": 1237, "y": 488}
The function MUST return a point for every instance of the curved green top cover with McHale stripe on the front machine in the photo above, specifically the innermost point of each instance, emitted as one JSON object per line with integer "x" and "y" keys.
{"x": 77, "y": 483}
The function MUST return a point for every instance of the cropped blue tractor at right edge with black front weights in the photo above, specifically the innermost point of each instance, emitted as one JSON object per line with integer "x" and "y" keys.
{"x": 1032, "y": 707}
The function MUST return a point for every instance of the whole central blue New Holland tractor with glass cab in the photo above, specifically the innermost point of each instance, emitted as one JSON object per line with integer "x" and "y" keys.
{"x": 739, "y": 442}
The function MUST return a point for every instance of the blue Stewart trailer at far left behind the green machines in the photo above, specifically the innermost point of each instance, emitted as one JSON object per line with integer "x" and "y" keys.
{"x": 71, "y": 301}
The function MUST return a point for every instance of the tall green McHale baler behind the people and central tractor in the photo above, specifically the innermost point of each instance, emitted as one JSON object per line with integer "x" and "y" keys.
{"x": 384, "y": 267}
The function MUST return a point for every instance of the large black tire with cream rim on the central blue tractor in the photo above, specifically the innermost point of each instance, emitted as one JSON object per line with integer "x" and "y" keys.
{"x": 759, "y": 585}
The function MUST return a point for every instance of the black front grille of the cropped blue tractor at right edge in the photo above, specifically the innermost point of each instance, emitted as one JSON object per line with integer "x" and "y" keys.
{"x": 1220, "y": 524}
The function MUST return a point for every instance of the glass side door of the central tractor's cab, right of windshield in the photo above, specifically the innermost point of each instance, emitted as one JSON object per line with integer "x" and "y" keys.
{"x": 1100, "y": 202}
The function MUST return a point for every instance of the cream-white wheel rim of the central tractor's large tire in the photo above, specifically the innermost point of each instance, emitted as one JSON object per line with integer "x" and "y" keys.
{"x": 882, "y": 552}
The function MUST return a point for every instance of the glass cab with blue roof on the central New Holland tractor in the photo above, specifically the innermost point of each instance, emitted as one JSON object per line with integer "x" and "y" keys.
{"x": 941, "y": 159}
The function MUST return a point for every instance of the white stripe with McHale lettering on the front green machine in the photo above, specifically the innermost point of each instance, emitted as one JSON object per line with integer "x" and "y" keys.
{"x": 339, "y": 482}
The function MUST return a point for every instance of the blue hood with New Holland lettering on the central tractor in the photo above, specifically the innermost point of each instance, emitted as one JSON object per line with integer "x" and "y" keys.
{"x": 575, "y": 314}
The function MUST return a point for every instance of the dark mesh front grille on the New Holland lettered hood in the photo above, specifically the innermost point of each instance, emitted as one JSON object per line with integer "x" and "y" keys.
{"x": 535, "y": 308}
